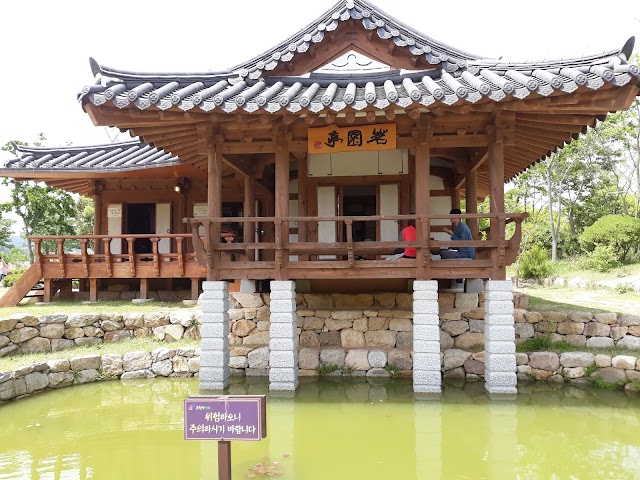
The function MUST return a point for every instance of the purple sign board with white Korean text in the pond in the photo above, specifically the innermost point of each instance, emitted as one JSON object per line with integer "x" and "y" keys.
{"x": 237, "y": 417}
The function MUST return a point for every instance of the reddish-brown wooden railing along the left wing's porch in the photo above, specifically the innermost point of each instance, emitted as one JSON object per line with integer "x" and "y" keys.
{"x": 79, "y": 262}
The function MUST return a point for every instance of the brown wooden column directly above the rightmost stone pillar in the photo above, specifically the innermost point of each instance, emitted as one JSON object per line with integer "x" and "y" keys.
{"x": 496, "y": 197}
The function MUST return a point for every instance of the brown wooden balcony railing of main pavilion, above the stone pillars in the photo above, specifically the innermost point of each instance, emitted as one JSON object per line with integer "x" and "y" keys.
{"x": 283, "y": 259}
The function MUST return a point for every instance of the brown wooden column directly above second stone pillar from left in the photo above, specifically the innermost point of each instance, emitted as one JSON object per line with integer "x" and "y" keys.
{"x": 282, "y": 198}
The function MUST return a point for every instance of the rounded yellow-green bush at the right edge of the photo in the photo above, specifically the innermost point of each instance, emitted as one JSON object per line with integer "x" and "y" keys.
{"x": 620, "y": 232}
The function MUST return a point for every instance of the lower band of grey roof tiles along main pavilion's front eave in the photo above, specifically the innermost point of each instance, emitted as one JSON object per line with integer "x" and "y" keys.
{"x": 317, "y": 92}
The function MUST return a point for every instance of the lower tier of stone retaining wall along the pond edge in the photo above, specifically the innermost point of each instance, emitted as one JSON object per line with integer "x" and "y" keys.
{"x": 573, "y": 367}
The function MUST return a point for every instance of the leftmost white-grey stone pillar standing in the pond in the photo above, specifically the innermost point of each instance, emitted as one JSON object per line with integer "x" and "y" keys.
{"x": 214, "y": 356}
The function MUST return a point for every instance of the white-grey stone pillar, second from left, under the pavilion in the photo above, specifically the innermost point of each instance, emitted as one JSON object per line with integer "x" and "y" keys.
{"x": 283, "y": 343}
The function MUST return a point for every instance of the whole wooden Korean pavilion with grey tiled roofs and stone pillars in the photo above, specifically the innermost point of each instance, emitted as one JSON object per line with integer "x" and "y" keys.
{"x": 302, "y": 164}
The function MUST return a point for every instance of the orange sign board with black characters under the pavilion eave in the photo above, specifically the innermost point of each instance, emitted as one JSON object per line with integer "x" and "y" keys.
{"x": 332, "y": 139}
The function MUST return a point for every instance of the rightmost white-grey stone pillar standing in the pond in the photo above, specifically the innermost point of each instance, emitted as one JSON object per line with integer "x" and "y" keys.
{"x": 500, "y": 346}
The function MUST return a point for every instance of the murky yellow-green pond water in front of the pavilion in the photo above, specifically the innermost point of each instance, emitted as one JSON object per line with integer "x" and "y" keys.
{"x": 330, "y": 430}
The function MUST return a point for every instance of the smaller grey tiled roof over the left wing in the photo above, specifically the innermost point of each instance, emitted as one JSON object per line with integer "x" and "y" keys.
{"x": 112, "y": 157}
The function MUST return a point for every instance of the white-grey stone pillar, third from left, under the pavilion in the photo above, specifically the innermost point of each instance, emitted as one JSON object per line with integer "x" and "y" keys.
{"x": 427, "y": 375}
